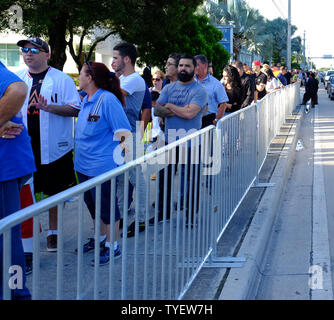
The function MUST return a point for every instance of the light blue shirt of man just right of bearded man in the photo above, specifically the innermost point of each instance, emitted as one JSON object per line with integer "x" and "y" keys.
{"x": 216, "y": 92}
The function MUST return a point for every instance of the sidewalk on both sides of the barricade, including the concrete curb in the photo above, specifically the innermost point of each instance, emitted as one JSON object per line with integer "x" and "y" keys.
{"x": 211, "y": 283}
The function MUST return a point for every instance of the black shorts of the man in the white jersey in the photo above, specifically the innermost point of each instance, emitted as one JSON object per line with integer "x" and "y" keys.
{"x": 56, "y": 176}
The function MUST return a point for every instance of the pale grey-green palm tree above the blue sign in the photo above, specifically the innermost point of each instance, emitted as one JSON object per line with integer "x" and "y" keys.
{"x": 249, "y": 24}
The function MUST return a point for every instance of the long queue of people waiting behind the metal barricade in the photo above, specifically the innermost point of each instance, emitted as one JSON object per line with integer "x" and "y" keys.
{"x": 113, "y": 110}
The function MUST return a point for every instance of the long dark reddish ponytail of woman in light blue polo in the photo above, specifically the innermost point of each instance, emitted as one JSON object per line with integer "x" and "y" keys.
{"x": 105, "y": 79}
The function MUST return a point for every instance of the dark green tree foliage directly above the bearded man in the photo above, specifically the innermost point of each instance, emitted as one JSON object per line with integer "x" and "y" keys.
{"x": 168, "y": 26}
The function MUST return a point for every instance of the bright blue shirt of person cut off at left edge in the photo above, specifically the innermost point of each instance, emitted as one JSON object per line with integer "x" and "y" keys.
{"x": 16, "y": 157}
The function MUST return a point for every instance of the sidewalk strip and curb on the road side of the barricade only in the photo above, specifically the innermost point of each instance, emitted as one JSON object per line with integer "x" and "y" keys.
{"x": 247, "y": 234}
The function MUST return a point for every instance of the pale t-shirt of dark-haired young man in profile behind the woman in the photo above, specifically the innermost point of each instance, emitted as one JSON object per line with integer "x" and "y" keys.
{"x": 135, "y": 86}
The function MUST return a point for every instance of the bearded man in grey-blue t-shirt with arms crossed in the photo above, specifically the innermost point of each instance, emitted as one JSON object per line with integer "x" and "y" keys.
{"x": 182, "y": 103}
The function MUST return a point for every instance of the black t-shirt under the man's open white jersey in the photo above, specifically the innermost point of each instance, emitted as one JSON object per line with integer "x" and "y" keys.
{"x": 33, "y": 114}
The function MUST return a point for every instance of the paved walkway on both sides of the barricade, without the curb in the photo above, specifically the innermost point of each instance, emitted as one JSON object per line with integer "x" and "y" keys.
{"x": 208, "y": 285}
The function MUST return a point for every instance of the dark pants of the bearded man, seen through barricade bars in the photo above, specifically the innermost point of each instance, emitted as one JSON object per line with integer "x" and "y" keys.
{"x": 185, "y": 185}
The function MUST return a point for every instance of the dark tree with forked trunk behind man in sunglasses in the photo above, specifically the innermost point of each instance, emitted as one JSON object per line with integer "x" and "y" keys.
{"x": 58, "y": 20}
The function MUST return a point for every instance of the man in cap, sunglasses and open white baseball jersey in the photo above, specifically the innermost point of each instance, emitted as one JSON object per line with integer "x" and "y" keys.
{"x": 51, "y": 103}
